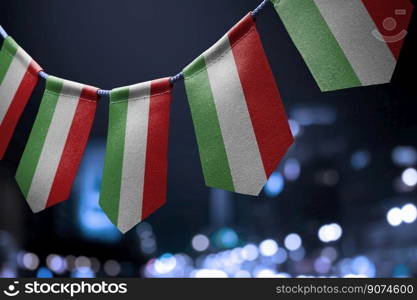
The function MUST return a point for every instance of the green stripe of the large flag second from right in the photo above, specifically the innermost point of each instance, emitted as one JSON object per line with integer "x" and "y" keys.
{"x": 206, "y": 122}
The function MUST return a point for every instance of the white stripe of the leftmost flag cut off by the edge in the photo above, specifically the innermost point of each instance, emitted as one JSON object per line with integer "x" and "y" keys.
{"x": 12, "y": 80}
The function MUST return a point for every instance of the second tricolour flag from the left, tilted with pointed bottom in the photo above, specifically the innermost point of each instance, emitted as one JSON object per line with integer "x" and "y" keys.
{"x": 56, "y": 144}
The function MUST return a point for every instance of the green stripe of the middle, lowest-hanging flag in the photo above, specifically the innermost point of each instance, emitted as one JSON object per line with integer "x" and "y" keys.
{"x": 113, "y": 167}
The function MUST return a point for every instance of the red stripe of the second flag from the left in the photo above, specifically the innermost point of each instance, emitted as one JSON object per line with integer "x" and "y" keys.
{"x": 74, "y": 147}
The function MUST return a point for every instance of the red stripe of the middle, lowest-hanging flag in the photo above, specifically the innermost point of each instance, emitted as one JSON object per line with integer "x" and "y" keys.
{"x": 156, "y": 166}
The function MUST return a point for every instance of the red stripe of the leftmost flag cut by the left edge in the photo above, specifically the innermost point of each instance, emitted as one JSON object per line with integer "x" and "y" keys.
{"x": 18, "y": 104}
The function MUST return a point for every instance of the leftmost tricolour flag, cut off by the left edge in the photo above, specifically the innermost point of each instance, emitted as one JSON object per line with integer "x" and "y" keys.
{"x": 18, "y": 78}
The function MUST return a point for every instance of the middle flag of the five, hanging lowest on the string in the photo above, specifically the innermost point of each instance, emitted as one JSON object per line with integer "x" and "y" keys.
{"x": 136, "y": 163}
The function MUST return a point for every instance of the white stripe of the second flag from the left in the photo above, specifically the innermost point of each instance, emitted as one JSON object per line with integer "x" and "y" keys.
{"x": 54, "y": 146}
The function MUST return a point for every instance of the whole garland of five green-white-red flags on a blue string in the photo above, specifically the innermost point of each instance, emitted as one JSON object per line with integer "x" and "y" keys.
{"x": 240, "y": 122}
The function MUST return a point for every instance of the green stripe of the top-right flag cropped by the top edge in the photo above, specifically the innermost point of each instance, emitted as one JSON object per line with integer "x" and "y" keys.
{"x": 317, "y": 45}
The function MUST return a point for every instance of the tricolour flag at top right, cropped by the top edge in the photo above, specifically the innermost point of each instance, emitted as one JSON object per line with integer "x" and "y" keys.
{"x": 347, "y": 43}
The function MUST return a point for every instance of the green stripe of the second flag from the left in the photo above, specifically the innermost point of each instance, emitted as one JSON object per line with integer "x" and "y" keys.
{"x": 33, "y": 150}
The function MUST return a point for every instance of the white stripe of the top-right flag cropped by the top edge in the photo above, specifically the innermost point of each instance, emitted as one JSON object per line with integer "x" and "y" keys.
{"x": 352, "y": 27}
